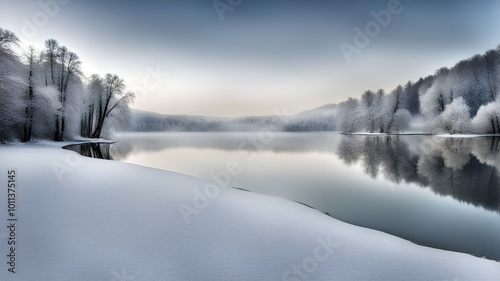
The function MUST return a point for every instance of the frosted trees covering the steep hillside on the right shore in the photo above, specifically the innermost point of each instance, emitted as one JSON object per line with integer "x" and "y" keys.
{"x": 463, "y": 99}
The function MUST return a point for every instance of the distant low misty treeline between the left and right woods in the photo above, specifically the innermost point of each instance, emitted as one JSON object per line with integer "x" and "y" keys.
{"x": 320, "y": 119}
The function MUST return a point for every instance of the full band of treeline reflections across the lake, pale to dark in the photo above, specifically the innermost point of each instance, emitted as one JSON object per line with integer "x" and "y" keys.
{"x": 465, "y": 168}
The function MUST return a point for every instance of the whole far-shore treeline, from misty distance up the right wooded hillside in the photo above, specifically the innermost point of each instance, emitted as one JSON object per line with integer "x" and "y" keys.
{"x": 463, "y": 99}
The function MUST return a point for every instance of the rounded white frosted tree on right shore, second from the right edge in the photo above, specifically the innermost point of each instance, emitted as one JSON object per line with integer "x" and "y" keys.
{"x": 455, "y": 119}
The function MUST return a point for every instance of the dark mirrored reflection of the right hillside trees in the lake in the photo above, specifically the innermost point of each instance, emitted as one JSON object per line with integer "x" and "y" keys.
{"x": 464, "y": 168}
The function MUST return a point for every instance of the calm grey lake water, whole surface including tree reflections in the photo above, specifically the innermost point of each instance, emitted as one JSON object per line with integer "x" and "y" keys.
{"x": 434, "y": 191}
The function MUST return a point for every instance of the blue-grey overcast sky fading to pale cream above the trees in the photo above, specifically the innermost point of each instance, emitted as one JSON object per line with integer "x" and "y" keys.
{"x": 264, "y": 54}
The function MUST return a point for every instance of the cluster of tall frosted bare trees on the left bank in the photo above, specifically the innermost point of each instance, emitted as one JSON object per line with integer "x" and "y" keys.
{"x": 45, "y": 95}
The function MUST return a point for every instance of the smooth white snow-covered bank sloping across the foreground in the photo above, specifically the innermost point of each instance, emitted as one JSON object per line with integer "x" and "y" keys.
{"x": 107, "y": 220}
